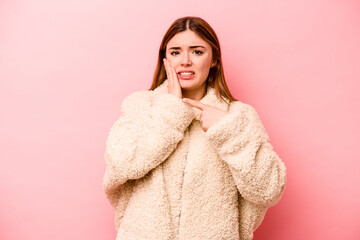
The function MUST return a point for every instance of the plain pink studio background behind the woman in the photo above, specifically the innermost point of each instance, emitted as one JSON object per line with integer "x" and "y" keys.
{"x": 66, "y": 66}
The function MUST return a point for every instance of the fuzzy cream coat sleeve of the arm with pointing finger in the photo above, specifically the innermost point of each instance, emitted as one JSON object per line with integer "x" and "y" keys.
{"x": 242, "y": 142}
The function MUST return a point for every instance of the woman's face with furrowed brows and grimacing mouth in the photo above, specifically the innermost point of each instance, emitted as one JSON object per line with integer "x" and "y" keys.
{"x": 188, "y": 52}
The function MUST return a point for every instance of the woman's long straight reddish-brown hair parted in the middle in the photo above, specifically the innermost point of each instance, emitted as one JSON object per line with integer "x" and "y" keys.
{"x": 216, "y": 77}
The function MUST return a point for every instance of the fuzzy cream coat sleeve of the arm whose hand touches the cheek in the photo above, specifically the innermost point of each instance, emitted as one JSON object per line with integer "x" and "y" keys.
{"x": 145, "y": 134}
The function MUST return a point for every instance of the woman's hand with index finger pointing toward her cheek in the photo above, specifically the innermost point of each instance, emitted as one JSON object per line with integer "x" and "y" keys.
{"x": 209, "y": 115}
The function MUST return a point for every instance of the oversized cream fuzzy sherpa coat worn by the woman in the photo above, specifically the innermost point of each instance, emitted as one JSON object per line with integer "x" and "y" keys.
{"x": 168, "y": 179}
